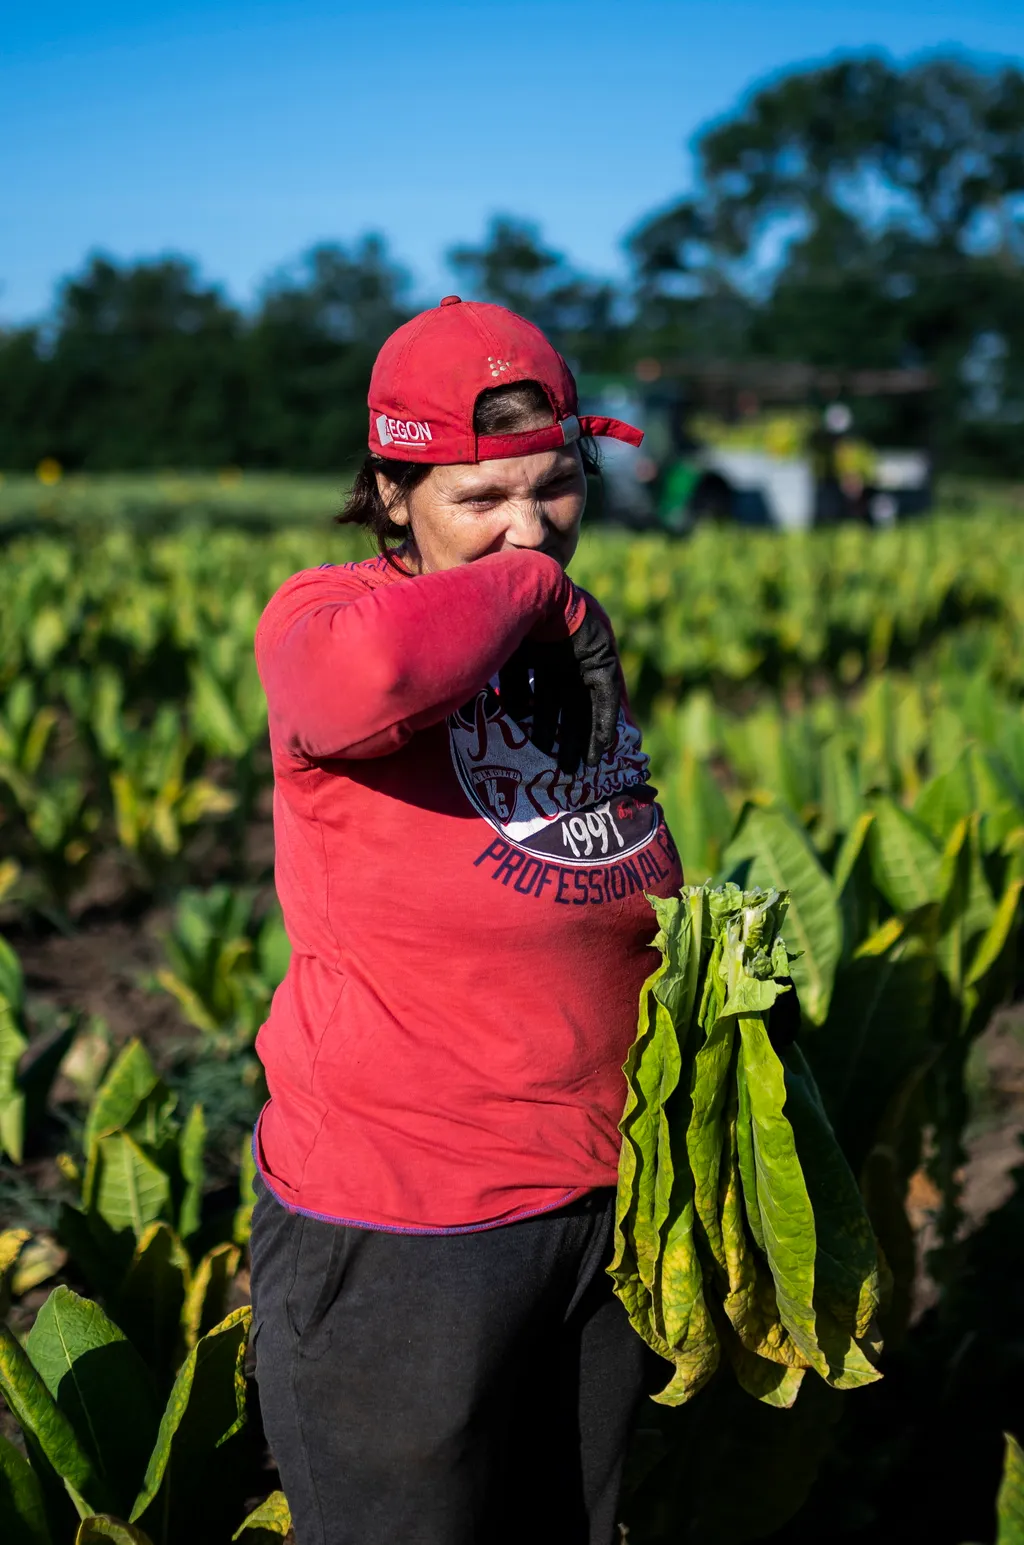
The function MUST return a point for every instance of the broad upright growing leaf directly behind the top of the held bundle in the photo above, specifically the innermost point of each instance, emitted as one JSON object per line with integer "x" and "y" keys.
{"x": 784, "y": 860}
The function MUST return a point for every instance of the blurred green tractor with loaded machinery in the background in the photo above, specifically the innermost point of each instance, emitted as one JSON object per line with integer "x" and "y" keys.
{"x": 761, "y": 446}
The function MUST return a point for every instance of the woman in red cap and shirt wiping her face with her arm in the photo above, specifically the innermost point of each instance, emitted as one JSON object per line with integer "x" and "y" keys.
{"x": 464, "y": 841}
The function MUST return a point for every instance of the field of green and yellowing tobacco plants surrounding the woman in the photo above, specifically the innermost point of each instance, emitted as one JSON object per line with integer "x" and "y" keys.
{"x": 836, "y": 715}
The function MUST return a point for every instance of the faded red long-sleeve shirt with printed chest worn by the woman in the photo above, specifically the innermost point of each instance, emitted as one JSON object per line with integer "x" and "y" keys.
{"x": 469, "y": 926}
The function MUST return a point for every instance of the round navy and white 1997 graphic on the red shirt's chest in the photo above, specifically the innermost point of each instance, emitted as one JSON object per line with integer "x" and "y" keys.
{"x": 595, "y": 817}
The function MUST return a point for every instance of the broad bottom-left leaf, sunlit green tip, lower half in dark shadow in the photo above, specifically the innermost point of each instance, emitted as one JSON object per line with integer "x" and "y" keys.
{"x": 101, "y": 1385}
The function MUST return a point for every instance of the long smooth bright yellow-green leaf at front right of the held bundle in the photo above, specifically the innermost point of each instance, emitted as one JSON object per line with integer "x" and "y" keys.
{"x": 785, "y": 1206}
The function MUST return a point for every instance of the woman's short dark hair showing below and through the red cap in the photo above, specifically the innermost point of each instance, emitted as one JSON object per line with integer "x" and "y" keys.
{"x": 500, "y": 410}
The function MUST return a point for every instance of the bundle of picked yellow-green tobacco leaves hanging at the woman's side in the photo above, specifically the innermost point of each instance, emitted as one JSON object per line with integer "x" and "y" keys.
{"x": 739, "y": 1221}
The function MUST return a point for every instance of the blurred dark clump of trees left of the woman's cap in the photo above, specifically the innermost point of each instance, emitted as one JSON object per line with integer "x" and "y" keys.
{"x": 144, "y": 365}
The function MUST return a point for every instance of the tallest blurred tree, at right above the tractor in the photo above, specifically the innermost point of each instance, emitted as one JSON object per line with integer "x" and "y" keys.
{"x": 866, "y": 216}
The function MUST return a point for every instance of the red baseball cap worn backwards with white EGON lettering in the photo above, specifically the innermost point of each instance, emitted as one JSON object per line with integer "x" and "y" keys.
{"x": 432, "y": 372}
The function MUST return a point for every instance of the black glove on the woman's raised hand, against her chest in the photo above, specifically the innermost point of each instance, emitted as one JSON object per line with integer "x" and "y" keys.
{"x": 577, "y": 693}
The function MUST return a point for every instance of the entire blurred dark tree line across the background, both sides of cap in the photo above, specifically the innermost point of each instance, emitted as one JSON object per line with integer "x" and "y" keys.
{"x": 858, "y": 216}
